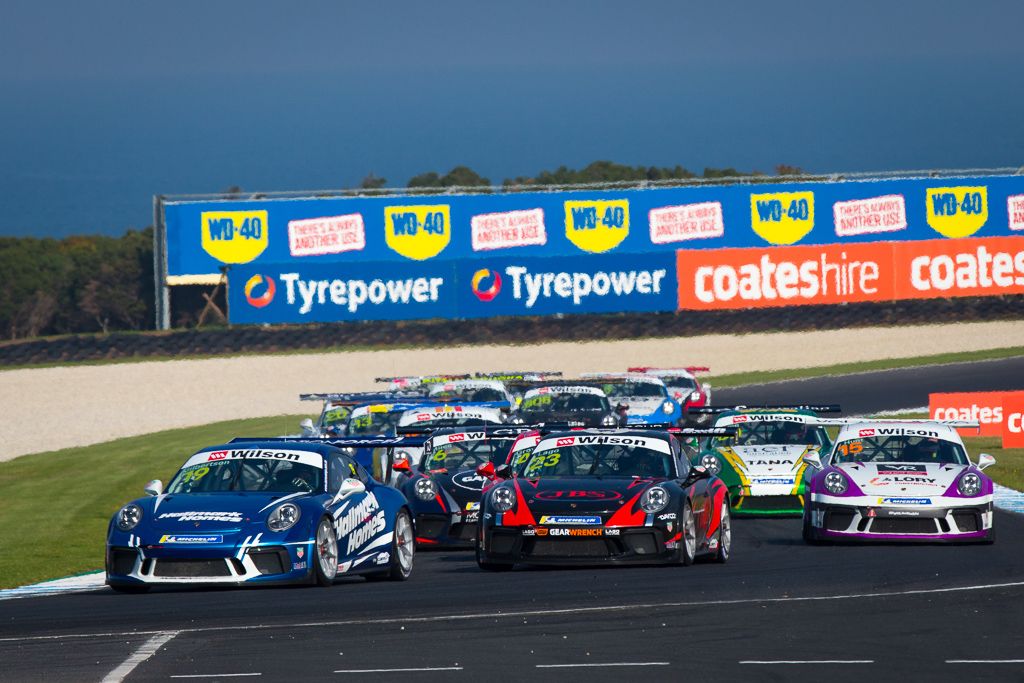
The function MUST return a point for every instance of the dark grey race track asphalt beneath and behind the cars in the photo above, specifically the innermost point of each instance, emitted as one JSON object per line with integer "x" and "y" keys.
{"x": 779, "y": 611}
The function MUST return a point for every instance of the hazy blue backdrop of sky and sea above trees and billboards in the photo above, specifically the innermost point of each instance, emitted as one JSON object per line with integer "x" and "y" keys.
{"x": 105, "y": 105}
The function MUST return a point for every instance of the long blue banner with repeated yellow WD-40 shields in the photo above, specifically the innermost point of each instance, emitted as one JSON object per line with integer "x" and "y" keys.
{"x": 202, "y": 237}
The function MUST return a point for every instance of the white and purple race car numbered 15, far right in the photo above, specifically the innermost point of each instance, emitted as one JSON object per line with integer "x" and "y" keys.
{"x": 900, "y": 481}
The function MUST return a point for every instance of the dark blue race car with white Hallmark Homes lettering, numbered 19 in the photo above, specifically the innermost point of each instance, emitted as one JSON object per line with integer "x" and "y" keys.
{"x": 264, "y": 511}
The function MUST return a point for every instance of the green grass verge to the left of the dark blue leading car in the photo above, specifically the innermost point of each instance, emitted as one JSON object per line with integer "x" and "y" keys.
{"x": 57, "y": 505}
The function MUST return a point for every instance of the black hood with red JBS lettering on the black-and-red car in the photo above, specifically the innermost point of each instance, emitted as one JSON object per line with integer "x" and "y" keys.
{"x": 581, "y": 496}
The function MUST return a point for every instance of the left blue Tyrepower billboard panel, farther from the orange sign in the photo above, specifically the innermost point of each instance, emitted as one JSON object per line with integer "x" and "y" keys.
{"x": 334, "y": 292}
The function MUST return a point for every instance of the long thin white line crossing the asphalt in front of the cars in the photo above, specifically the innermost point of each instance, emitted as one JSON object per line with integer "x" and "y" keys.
{"x": 530, "y": 613}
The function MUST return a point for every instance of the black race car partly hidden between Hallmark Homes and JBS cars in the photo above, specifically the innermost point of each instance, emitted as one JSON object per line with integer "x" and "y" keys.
{"x": 445, "y": 489}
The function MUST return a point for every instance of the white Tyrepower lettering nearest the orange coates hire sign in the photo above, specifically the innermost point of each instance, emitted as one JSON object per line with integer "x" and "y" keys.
{"x": 579, "y": 286}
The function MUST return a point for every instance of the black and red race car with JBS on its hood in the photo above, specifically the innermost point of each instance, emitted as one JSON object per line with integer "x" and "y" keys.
{"x": 623, "y": 496}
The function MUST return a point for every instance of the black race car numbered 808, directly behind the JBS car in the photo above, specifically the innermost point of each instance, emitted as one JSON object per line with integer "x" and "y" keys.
{"x": 585, "y": 405}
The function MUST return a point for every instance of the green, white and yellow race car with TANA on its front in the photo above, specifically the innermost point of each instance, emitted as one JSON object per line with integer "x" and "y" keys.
{"x": 763, "y": 464}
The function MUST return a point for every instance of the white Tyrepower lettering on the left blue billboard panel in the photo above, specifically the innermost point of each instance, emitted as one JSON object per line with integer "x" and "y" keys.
{"x": 355, "y": 293}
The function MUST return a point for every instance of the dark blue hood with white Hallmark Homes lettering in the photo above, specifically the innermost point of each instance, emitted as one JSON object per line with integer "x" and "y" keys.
{"x": 210, "y": 513}
